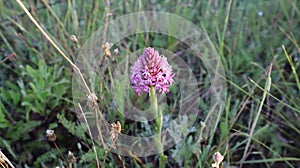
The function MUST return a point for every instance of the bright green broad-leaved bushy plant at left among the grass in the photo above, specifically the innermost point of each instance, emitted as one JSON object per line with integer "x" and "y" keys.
{"x": 44, "y": 90}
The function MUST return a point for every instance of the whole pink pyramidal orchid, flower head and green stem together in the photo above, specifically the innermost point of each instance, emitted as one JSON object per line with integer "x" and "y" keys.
{"x": 150, "y": 73}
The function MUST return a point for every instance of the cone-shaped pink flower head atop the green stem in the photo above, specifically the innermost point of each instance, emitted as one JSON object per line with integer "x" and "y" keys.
{"x": 151, "y": 69}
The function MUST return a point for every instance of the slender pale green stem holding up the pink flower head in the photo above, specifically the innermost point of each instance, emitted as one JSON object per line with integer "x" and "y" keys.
{"x": 158, "y": 121}
